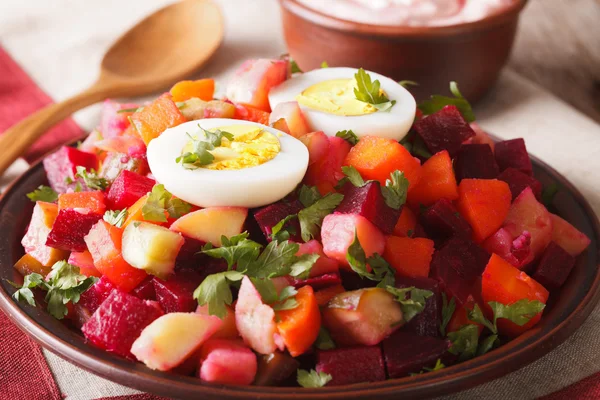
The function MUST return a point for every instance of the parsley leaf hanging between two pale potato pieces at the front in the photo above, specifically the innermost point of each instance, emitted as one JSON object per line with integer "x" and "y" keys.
{"x": 216, "y": 292}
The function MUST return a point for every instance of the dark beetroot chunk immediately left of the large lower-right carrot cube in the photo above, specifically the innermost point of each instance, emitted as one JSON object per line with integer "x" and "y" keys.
{"x": 458, "y": 265}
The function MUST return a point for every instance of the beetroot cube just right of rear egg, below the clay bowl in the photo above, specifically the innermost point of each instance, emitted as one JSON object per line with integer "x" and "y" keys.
{"x": 444, "y": 130}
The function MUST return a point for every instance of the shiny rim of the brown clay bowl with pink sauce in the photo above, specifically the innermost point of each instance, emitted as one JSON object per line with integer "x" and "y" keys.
{"x": 508, "y": 14}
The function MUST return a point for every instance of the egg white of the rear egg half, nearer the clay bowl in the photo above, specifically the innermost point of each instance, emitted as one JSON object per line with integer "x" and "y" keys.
{"x": 393, "y": 124}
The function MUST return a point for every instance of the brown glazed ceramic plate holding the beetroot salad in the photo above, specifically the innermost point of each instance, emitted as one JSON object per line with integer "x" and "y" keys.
{"x": 564, "y": 314}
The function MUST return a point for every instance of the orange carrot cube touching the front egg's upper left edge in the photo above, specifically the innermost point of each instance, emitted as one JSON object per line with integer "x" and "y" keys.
{"x": 156, "y": 117}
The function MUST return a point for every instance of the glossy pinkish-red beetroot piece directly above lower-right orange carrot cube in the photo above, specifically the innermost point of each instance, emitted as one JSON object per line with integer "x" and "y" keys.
{"x": 516, "y": 251}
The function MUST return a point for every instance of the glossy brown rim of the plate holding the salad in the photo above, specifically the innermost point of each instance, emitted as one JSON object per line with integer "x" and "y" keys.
{"x": 521, "y": 351}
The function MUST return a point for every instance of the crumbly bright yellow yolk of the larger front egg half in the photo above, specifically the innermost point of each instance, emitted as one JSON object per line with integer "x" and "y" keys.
{"x": 251, "y": 146}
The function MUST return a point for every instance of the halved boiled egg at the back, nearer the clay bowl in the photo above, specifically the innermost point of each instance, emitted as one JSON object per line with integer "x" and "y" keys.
{"x": 327, "y": 100}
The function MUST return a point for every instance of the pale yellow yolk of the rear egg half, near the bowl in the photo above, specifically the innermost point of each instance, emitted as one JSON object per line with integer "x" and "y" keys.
{"x": 335, "y": 96}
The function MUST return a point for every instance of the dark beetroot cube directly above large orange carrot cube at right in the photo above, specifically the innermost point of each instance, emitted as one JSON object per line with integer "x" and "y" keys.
{"x": 475, "y": 161}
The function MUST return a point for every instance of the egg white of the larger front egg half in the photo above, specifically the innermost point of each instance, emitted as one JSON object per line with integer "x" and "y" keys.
{"x": 248, "y": 187}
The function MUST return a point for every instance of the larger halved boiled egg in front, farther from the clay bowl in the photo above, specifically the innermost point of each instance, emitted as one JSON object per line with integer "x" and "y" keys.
{"x": 258, "y": 166}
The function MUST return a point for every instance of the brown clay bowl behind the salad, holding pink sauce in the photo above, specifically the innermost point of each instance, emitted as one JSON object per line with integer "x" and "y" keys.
{"x": 471, "y": 54}
